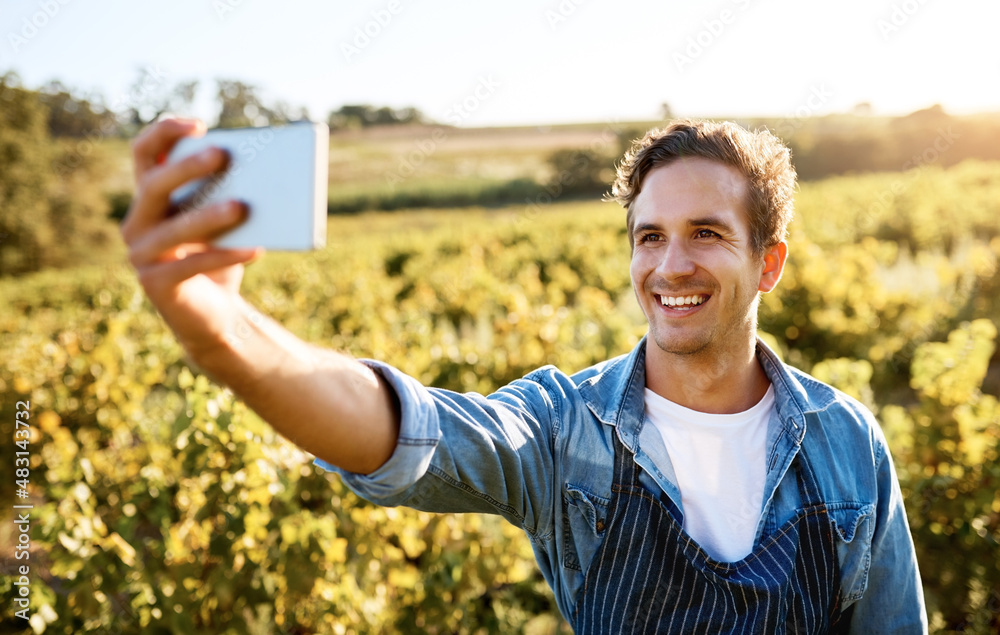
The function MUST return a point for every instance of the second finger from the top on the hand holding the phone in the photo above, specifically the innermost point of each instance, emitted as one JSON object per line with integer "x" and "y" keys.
{"x": 152, "y": 198}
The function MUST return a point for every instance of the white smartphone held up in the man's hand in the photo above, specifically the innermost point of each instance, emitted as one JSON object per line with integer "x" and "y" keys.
{"x": 280, "y": 172}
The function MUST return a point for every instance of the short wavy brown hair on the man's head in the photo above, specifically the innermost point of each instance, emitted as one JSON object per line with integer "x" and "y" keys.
{"x": 759, "y": 156}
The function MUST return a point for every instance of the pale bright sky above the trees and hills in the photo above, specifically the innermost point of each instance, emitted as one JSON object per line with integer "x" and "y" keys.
{"x": 523, "y": 62}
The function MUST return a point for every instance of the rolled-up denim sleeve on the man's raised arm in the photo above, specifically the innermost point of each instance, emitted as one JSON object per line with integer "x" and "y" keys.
{"x": 465, "y": 452}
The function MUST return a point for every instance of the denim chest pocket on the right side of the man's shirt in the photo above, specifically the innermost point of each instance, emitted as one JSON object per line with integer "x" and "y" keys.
{"x": 853, "y": 528}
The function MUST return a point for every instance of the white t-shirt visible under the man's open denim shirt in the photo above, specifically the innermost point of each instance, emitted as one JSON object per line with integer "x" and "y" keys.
{"x": 719, "y": 464}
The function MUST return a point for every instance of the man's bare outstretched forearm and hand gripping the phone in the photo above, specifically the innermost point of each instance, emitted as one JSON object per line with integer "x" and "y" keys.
{"x": 327, "y": 403}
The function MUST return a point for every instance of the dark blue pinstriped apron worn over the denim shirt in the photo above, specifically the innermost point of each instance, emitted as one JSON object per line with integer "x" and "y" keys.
{"x": 649, "y": 576}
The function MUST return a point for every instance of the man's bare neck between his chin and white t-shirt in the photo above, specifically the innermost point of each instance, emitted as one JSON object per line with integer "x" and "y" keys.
{"x": 714, "y": 382}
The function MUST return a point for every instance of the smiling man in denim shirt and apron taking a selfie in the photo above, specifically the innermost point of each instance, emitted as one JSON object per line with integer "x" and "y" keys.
{"x": 696, "y": 484}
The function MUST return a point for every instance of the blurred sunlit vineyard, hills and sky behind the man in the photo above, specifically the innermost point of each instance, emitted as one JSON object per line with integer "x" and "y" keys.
{"x": 470, "y": 148}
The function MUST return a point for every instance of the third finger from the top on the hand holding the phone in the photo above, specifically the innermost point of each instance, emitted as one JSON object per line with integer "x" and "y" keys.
{"x": 190, "y": 227}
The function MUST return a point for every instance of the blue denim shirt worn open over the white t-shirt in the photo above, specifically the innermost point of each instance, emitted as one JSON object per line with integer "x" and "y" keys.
{"x": 539, "y": 453}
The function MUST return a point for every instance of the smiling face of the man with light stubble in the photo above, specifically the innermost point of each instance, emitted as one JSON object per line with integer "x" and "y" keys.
{"x": 693, "y": 269}
